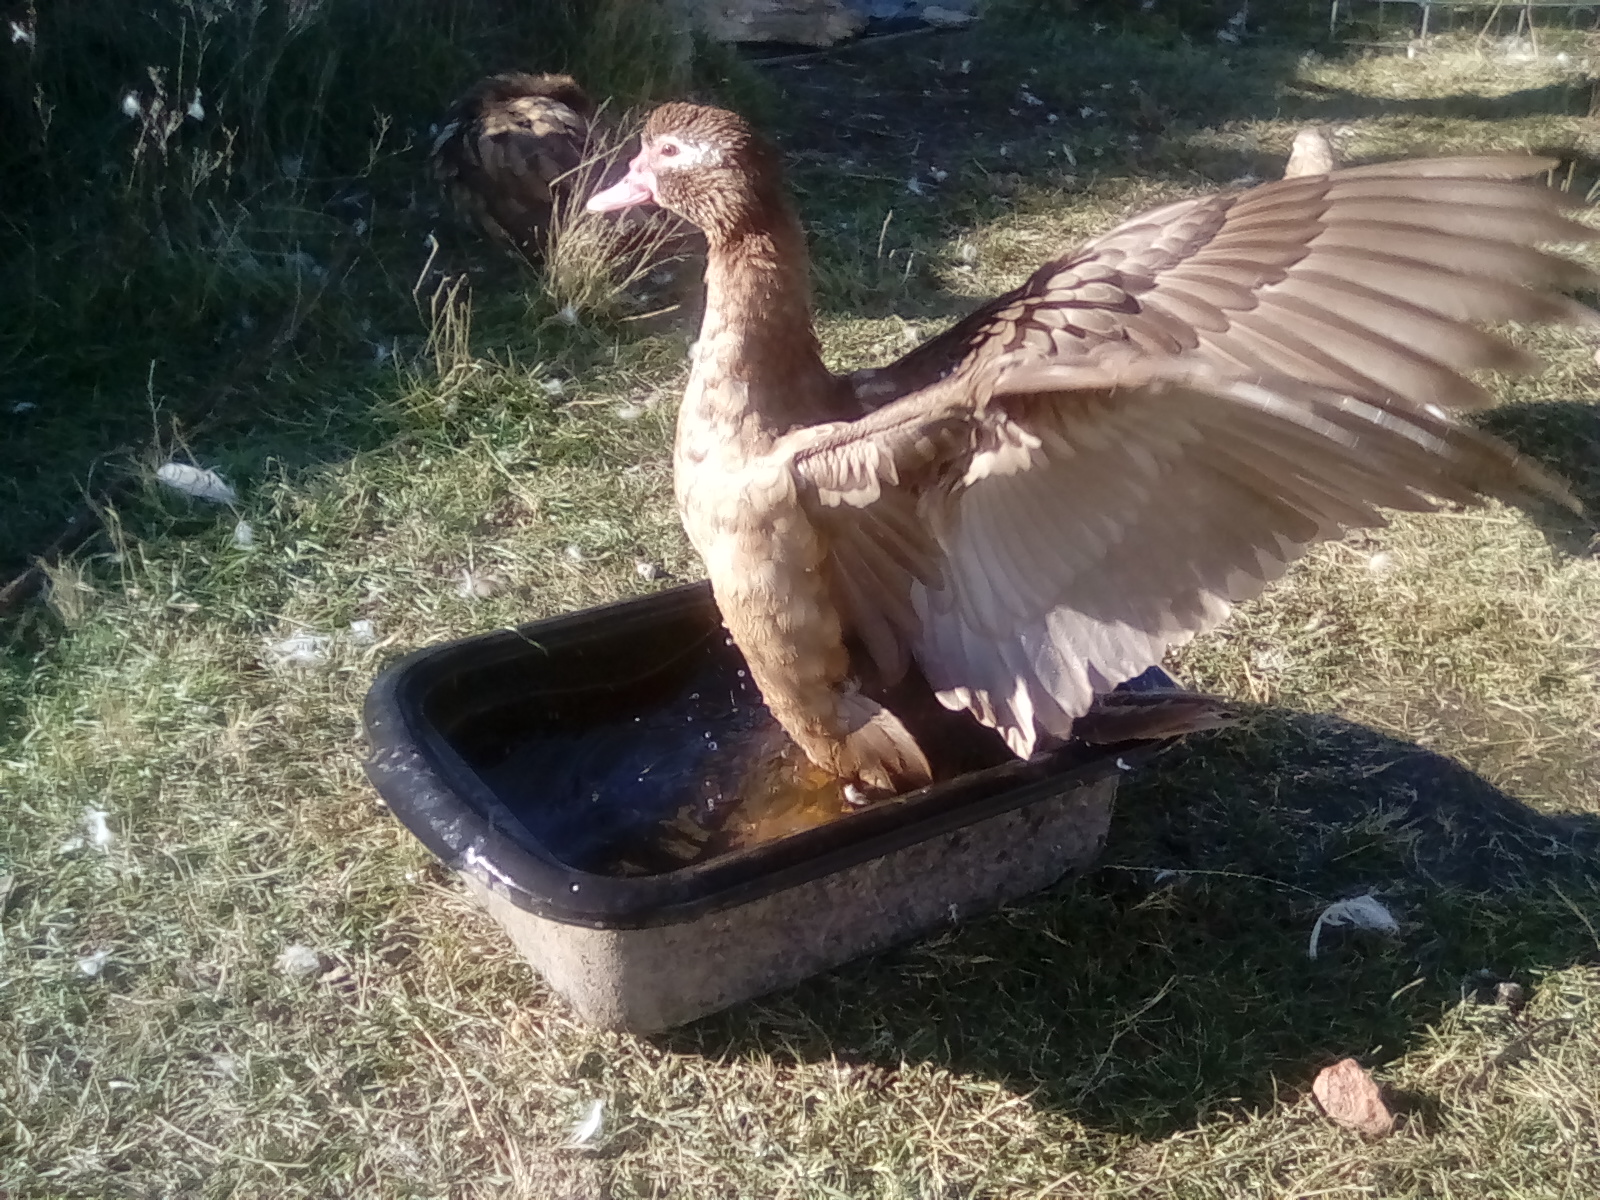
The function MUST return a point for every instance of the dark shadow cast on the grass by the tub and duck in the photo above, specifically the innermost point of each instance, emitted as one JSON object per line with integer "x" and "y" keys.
{"x": 1174, "y": 982}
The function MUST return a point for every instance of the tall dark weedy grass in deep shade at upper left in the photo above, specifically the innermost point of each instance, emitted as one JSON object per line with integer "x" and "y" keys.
{"x": 148, "y": 258}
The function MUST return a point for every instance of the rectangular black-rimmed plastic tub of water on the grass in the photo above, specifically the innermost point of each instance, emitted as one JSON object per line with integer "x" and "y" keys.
{"x": 498, "y": 750}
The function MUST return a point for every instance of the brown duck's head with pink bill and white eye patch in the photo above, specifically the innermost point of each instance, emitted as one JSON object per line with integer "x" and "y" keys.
{"x": 708, "y": 166}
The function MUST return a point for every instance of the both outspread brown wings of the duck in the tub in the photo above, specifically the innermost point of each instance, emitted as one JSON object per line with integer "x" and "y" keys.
{"x": 1103, "y": 463}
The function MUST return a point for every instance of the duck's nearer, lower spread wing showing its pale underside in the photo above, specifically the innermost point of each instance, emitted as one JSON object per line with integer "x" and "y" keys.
{"x": 1038, "y": 540}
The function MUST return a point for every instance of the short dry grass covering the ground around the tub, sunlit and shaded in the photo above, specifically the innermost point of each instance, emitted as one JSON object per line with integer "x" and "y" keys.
{"x": 1428, "y": 730}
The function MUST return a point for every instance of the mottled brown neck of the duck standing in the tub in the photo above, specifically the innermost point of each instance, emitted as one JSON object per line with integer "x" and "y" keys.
{"x": 758, "y": 366}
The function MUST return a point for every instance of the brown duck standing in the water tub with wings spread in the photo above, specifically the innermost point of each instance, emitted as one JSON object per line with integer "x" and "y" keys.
{"x": 1097, "y": 466}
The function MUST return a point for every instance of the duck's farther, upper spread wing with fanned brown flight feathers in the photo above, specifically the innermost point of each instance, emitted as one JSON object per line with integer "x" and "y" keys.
{"x": 1362, "y": 281}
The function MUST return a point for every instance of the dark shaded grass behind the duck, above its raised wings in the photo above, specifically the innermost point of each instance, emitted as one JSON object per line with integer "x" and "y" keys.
{"x": 895, "y": 148}
